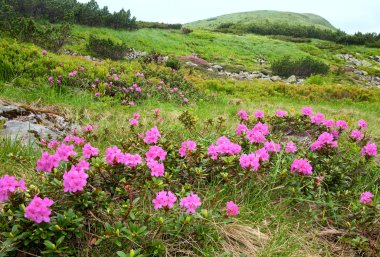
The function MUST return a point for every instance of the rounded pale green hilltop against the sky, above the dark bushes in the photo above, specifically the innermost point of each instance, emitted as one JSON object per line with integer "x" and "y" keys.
{"x": 304, "y": 19}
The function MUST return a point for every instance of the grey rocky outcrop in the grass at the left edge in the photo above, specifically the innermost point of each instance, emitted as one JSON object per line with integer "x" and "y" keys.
{"x": 28, "y": 125}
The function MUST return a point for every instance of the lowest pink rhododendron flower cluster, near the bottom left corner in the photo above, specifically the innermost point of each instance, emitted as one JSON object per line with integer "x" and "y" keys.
{"x": 38, "y": 209}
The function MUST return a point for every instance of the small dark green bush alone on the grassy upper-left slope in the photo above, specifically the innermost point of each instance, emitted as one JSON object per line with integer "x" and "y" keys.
{"x": 106, "y": 48}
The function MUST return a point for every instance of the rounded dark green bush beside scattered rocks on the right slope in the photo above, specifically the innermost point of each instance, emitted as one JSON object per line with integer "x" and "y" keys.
{"x": 303, "y": 67}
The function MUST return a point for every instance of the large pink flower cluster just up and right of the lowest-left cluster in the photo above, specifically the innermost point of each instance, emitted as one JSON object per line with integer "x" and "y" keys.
{"x": 74, "y": 180}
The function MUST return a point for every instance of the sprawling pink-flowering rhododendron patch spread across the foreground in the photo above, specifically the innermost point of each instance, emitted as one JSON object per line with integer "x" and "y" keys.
{"x": 154, "y": 187}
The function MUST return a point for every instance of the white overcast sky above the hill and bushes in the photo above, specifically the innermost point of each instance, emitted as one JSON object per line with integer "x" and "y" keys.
{"x": 348, "y": 15}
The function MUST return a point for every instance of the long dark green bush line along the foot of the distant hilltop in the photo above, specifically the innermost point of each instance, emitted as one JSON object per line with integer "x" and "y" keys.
{"x": 299, "y": 31}
